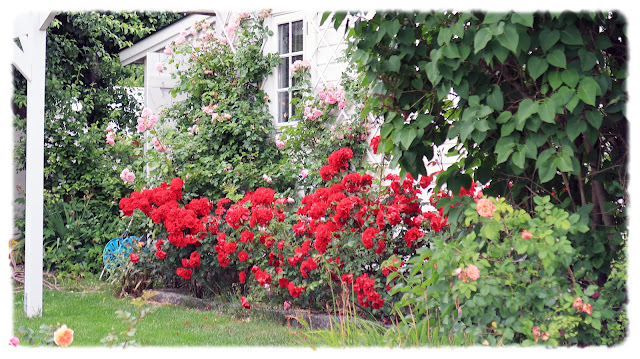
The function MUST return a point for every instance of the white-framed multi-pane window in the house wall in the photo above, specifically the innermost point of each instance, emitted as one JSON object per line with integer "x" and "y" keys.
{"x": 290, "y": 48}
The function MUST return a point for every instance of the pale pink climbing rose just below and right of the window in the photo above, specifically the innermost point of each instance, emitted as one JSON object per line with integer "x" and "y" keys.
{"x": 328, "y": 118}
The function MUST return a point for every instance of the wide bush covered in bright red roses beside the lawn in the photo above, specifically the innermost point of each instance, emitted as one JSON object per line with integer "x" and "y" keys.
{"x": 338, "y": 237}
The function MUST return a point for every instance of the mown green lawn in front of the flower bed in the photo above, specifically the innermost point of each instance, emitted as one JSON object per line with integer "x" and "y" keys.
{"x": 89, "y": 309}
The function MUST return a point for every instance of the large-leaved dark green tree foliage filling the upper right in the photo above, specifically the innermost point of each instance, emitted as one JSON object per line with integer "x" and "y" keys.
{"x": 535, "y": 102}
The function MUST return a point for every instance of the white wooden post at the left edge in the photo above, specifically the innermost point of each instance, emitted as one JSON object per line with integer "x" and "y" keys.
{"x": 30, "y": 60}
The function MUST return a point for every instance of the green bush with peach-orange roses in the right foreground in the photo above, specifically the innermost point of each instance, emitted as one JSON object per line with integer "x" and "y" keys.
{"x": 498, "y": 277}
